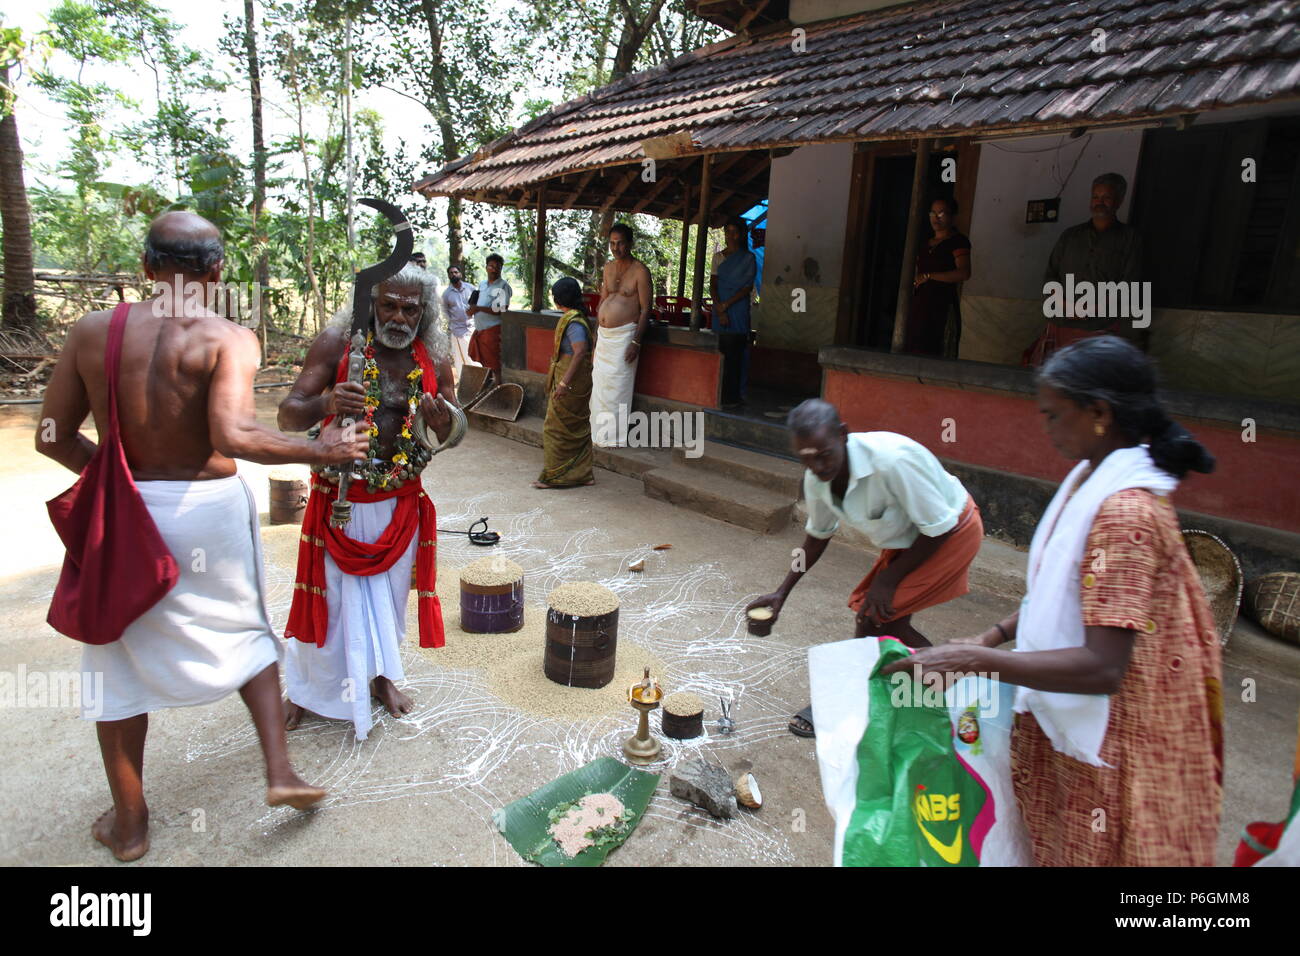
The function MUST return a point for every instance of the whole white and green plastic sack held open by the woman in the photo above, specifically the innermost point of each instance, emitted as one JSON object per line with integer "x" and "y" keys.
{"x": 913, "y": 777}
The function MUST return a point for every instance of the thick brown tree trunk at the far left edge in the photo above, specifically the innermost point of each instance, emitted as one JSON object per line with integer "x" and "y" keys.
{"x": 20, "y": 279}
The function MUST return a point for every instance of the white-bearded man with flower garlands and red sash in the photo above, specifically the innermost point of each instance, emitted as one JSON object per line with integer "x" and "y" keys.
{"x": 350, "y": 594}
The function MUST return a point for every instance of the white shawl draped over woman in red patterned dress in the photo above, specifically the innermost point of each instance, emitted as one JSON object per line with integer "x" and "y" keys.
{"x": 1052, "y": 616}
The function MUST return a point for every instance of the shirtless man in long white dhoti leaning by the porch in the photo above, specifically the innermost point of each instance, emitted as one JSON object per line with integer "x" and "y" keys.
{"x": 623, "y": 318}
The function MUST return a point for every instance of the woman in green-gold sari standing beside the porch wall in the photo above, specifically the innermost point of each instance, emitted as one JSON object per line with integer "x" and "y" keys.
{"x": 567, "y": 434}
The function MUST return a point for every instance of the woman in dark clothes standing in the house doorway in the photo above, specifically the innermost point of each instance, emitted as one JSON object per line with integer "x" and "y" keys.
{"x": 942, "y": 265}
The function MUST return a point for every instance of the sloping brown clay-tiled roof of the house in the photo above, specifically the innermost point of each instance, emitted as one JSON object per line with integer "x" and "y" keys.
{"x": 922, "y": 70}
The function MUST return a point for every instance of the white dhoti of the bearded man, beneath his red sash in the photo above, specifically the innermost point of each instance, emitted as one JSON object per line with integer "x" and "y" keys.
{"x": 367, "y": 625}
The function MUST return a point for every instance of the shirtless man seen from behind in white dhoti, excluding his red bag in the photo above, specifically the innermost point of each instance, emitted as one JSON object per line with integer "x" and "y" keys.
{"x": 187, "y": 409}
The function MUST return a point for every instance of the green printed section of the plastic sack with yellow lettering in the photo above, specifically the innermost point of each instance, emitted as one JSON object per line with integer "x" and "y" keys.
{"x": 918, "y": 803}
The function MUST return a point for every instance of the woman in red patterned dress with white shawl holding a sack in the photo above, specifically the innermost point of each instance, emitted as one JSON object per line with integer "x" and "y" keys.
{"x": 1119, "y": 749}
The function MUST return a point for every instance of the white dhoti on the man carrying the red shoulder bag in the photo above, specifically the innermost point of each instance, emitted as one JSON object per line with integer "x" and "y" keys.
{"x": 211, "y": 634}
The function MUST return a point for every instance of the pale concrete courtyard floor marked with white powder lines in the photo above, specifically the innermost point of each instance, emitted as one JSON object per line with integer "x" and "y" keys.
{"x": 422, "y": 790}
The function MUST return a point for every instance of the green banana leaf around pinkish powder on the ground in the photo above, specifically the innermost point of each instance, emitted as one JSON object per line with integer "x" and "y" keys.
{"x": 527, "y": 827}
